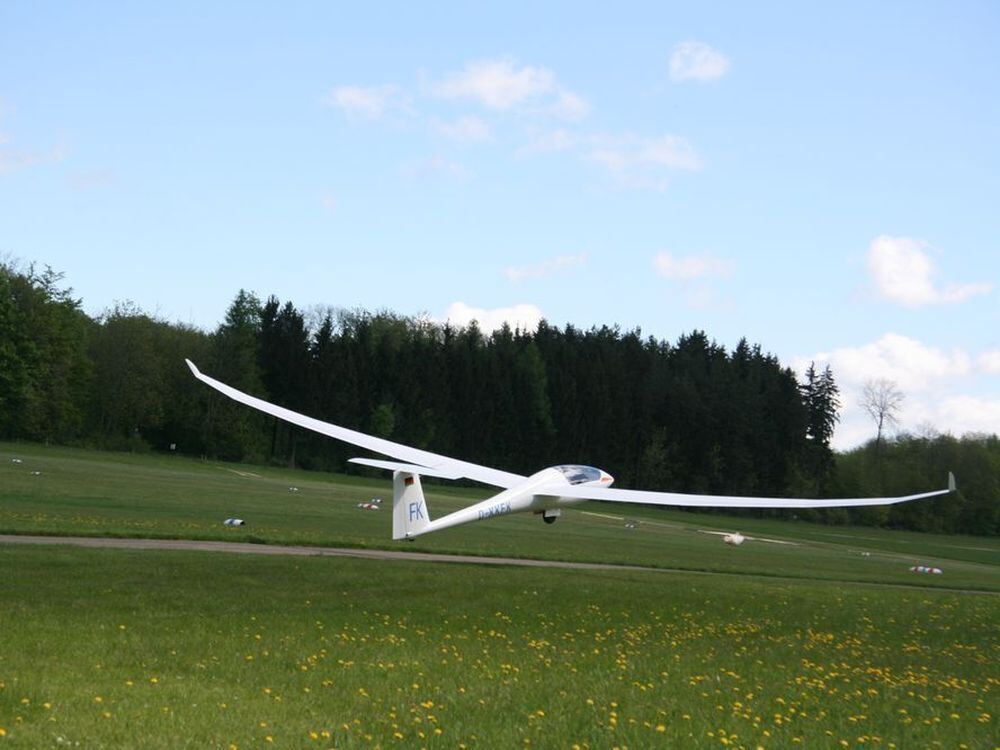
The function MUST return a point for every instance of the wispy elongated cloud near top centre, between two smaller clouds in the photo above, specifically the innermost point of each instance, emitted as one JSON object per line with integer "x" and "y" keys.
{"x": 504, "y": 85}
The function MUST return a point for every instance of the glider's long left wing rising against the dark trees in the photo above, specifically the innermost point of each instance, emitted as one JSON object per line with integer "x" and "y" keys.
{"x": 432, "y": 463}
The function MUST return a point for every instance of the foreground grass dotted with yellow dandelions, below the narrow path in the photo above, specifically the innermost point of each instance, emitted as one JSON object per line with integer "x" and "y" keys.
{"x": 114, "y": 648}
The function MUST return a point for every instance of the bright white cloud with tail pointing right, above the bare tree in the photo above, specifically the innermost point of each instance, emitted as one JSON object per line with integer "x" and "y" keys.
{"x": 903, "y": 273}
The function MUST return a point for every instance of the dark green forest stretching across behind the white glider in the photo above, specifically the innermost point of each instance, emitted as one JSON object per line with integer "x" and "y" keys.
{"x": 684, "y": 416}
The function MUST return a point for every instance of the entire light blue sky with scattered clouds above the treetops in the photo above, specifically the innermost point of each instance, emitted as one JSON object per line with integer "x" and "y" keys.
{"x": 822, "y": 180}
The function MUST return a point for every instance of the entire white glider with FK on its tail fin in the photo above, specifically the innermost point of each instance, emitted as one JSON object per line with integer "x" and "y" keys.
{"x": 544, "y": 493}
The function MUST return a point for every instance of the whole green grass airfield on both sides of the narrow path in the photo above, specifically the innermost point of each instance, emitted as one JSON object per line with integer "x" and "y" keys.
{"x": 803, "y": 644}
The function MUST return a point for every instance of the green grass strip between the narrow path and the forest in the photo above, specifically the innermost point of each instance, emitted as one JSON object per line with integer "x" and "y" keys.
{"x": 85, "y": 492}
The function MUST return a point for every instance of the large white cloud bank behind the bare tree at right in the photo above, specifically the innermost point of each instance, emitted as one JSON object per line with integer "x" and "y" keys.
{"x": 927, "y": 376}
